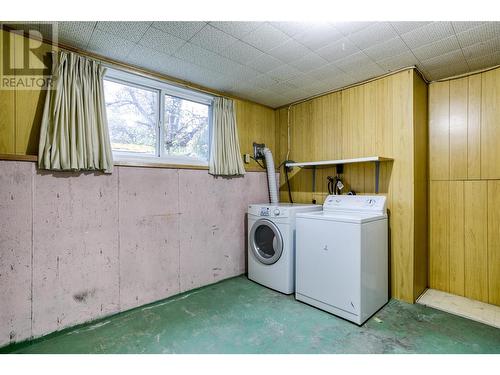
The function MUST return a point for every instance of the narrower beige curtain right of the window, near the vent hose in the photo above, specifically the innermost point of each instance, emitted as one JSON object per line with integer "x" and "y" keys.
{"x": 225, "y": 156}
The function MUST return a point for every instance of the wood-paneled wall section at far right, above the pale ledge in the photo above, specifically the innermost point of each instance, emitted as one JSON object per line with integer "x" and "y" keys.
{"x": 464, "y": 151}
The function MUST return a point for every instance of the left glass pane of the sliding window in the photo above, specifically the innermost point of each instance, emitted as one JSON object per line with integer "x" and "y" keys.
{"x": 132, "y": 118}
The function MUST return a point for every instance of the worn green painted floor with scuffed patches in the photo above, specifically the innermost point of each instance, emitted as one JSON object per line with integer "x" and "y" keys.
{"x": 239, "y": 316}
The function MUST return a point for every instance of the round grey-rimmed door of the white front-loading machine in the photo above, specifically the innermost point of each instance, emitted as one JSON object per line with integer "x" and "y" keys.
{"x": 266, "y": 241}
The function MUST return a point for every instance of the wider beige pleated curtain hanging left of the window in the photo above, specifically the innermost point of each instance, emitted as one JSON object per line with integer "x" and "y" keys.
{"x": 74, "y": 133}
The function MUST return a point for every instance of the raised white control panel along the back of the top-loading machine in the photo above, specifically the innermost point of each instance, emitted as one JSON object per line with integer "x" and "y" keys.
{"x": 356, "y": 203}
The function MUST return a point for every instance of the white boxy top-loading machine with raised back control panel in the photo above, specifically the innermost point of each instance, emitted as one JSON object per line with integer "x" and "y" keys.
{"x": 342, "y": 256}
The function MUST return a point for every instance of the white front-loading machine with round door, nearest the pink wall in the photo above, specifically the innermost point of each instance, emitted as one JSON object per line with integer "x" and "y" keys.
{"x": 271, "y": 244}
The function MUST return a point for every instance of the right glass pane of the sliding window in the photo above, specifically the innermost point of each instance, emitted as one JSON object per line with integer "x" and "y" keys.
{"x": 186, "y": 128}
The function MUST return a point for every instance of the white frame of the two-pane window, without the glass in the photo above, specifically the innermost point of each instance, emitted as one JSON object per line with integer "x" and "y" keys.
{"x": 161, "y": 88}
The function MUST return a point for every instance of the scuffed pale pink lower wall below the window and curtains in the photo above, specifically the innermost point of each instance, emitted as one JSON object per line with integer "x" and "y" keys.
{"x": 75, "y": 247}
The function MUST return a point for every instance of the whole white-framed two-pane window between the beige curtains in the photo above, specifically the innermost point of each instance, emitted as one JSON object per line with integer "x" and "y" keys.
{"x": 151, "y": 119}
